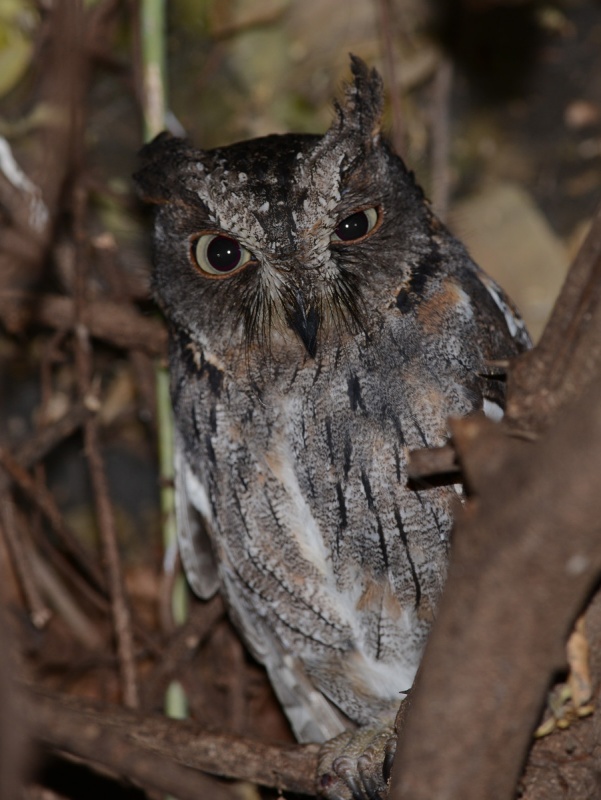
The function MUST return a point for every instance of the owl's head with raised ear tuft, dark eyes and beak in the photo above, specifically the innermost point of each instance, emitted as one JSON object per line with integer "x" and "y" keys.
{"x": 284, "y": 241}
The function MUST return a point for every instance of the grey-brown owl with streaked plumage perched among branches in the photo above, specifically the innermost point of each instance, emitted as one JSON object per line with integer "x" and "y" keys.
{"x": 323, "y": 323}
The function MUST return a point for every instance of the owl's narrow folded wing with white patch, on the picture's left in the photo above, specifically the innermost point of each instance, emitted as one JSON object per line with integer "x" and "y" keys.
{"x": 194, "y": 544}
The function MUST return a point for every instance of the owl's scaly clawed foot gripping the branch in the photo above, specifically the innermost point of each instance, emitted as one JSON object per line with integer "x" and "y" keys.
{"x": 356, "y": 765}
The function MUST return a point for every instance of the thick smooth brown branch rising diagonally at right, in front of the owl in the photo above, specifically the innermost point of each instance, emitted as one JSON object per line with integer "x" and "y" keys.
{"x": 516, "y": 583}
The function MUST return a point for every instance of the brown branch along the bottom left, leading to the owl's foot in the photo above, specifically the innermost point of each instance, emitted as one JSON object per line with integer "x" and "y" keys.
{"x": 121, "y": 740}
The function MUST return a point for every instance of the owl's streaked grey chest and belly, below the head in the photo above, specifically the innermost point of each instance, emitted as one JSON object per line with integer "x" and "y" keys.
{"x": 312, "y": 517}
